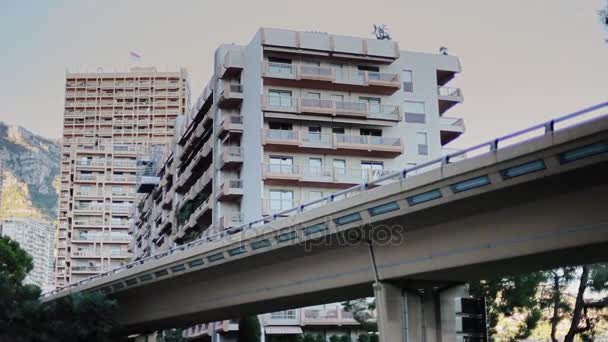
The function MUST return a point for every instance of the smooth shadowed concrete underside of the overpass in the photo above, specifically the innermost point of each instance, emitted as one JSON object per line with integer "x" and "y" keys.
{"x": 555, "y": 221}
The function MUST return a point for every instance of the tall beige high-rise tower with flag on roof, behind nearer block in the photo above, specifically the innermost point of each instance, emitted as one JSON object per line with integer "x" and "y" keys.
{"x": 110, "y": 118}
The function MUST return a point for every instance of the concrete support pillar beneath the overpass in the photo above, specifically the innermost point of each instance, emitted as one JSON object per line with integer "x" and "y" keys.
{"x": 416, "y": 315}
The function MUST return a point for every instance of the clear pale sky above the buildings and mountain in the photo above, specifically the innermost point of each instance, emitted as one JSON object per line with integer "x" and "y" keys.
{"x": 524, "y": 61}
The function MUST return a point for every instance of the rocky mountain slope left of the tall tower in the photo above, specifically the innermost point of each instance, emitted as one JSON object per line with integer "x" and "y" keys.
{"x": 31, "y": 171}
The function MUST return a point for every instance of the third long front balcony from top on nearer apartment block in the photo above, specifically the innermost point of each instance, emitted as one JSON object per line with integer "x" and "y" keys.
{"x": 342, "y": 144}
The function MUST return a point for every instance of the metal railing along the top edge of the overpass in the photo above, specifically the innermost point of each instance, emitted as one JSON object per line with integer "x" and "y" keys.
{"x": 542, "y": 129}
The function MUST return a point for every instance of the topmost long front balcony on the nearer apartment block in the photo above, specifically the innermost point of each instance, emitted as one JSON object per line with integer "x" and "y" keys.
{"x": 327, "y": 78}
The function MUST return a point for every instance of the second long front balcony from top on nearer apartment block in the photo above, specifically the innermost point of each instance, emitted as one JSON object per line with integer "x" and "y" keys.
{"x": 331, "y": 108}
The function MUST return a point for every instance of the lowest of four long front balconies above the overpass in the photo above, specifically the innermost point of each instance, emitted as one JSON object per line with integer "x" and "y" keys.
{"x": 318, "y": 175}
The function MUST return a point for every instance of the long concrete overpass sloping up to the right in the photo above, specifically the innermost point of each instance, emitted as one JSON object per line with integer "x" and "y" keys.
{"x": 530, "y": 200}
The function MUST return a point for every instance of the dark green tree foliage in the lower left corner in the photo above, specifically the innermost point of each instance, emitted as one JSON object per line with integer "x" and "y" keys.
{"x": 23, "y": 318}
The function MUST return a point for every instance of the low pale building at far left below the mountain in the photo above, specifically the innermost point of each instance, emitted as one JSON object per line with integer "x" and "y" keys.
{"x": 36, "y": 237}
